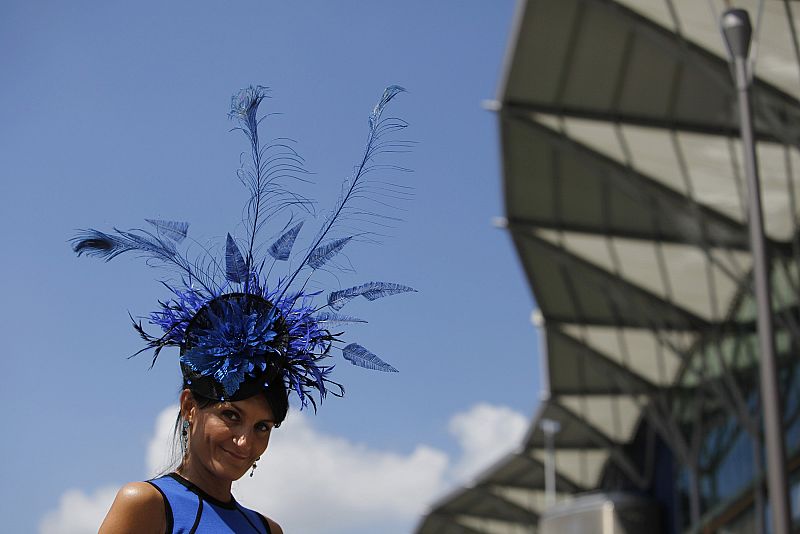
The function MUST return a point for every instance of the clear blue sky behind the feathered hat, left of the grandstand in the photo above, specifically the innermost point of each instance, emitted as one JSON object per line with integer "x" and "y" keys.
{"x": 116, "y": 111}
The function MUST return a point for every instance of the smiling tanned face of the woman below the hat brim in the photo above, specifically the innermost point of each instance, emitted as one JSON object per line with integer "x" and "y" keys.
{"x": 227, "y": 437}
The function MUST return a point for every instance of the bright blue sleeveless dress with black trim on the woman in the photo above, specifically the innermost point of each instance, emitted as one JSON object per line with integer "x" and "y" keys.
{"x": 190, "y": 510}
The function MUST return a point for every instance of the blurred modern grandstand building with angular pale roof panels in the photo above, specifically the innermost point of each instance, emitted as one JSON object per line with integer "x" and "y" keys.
{"x": 625, "y": 197}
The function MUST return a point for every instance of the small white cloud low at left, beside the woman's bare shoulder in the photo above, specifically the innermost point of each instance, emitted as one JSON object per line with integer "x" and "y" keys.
{"x": 78, "y": 513}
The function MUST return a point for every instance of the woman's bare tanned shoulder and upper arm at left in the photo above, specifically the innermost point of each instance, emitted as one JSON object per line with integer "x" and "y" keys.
{"x": 138, "y": 508}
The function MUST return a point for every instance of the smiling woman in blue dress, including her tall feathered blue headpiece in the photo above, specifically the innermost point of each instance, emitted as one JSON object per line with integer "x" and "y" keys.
{"x": 244, "y": 340}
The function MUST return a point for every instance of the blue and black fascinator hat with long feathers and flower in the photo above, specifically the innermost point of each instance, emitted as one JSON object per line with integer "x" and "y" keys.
{"x": 239, "y": 329}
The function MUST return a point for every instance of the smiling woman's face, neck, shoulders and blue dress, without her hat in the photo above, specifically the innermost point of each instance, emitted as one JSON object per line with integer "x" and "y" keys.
{"x": 224, "y": 440}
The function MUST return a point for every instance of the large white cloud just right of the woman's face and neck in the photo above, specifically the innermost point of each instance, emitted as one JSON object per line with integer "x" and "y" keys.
{"x": 310, "y": 481}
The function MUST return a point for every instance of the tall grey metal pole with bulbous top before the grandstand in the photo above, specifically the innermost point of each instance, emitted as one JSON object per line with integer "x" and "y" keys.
{"x": 737, "y": 31}
